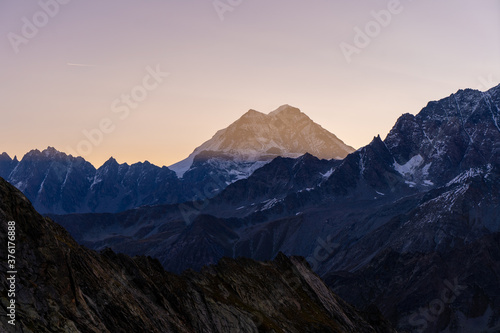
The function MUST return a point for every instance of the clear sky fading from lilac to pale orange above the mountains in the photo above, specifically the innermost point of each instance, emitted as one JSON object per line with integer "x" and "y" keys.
{"x": 264, "y": 53}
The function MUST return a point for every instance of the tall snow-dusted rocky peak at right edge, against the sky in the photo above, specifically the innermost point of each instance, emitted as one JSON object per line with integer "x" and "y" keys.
{"x": 449, "y": 136}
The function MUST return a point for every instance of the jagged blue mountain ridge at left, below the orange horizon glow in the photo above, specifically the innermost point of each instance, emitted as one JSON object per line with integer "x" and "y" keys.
{"x": 58, "y": 183}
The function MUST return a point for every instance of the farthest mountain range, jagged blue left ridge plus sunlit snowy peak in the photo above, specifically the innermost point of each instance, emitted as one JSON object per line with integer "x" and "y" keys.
{"x": 60, "y": 184}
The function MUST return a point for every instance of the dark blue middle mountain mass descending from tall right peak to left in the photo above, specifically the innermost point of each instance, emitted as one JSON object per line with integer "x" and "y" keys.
{"x": 392, "y": 224}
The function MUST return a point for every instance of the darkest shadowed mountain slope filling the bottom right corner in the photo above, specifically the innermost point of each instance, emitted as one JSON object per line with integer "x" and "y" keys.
{"x": 455, "y": 290}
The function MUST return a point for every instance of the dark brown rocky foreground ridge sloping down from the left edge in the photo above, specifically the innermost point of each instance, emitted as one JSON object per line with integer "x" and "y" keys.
{"x": 63, "y": 287}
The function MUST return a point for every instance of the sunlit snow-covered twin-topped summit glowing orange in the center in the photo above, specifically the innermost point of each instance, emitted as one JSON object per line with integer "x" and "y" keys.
{"x": 257, "y": 137}
